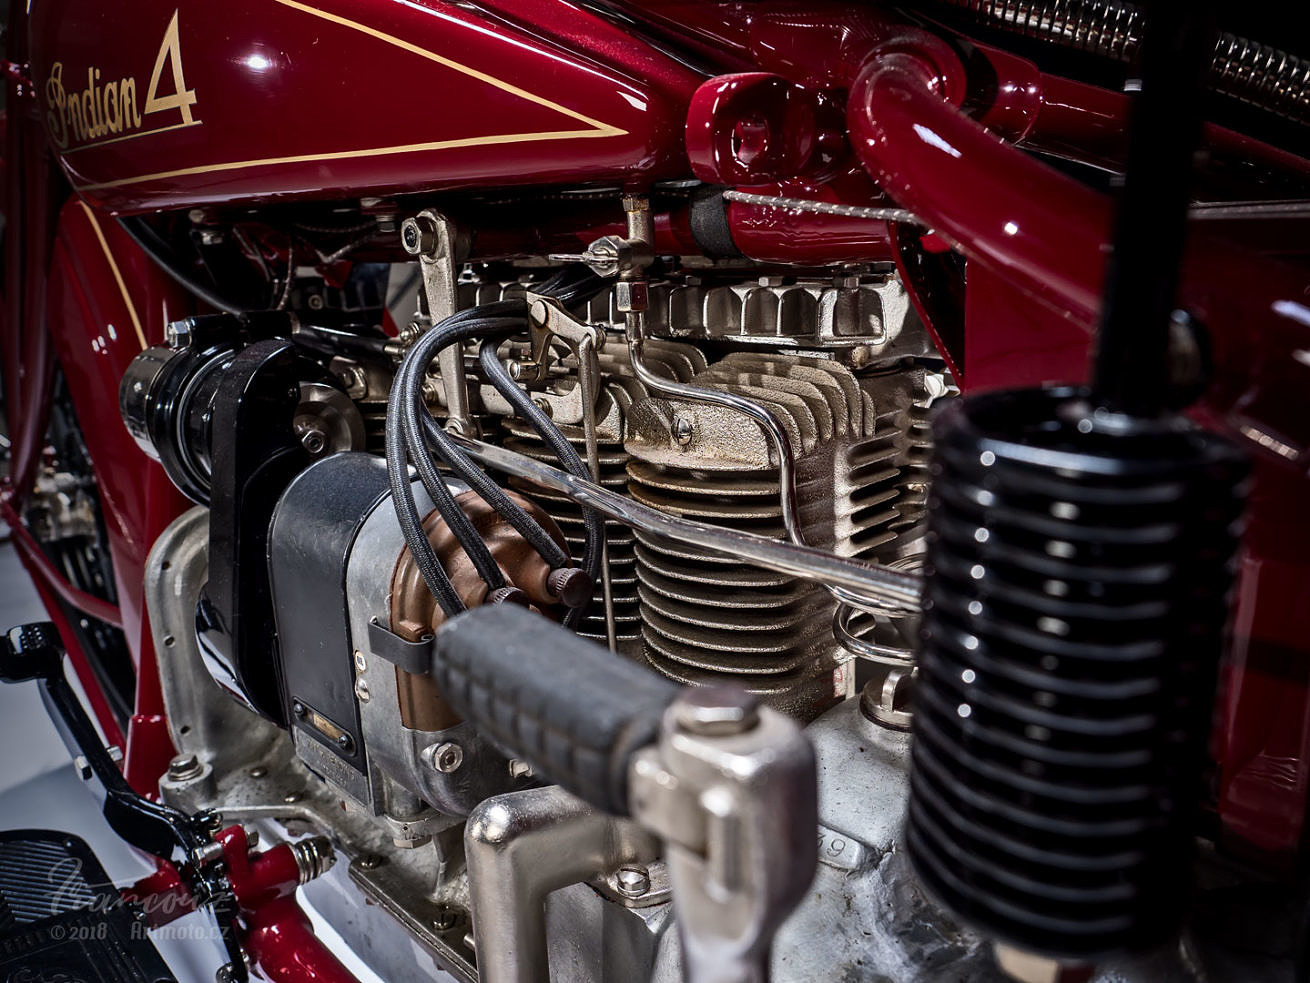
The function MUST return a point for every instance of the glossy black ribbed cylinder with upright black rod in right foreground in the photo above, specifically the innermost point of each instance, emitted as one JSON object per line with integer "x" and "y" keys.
{"x": 1083, "y": 550}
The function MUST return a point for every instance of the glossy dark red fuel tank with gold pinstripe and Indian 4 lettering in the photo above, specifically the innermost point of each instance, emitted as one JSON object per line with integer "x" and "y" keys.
{"x": 171, "y": 104}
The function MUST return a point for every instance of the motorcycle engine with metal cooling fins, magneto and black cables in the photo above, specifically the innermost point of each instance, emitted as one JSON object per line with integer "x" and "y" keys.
{"x": 707, "y": 414}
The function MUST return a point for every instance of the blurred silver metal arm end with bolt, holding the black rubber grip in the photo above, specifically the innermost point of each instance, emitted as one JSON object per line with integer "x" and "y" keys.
{"x": 732, "y": 790}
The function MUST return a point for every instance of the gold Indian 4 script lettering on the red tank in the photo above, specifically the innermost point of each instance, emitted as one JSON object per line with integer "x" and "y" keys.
{"x": 108, "y": 111}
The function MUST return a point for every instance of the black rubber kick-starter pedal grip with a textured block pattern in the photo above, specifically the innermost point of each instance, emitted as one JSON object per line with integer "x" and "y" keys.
{"x": 569, "y": 708}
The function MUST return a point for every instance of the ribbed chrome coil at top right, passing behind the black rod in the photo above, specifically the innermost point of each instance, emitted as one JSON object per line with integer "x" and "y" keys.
{"x": 1243, "y": 69}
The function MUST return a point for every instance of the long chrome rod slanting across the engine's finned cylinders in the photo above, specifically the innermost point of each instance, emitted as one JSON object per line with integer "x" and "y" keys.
{"x": 890, "y": 590}
